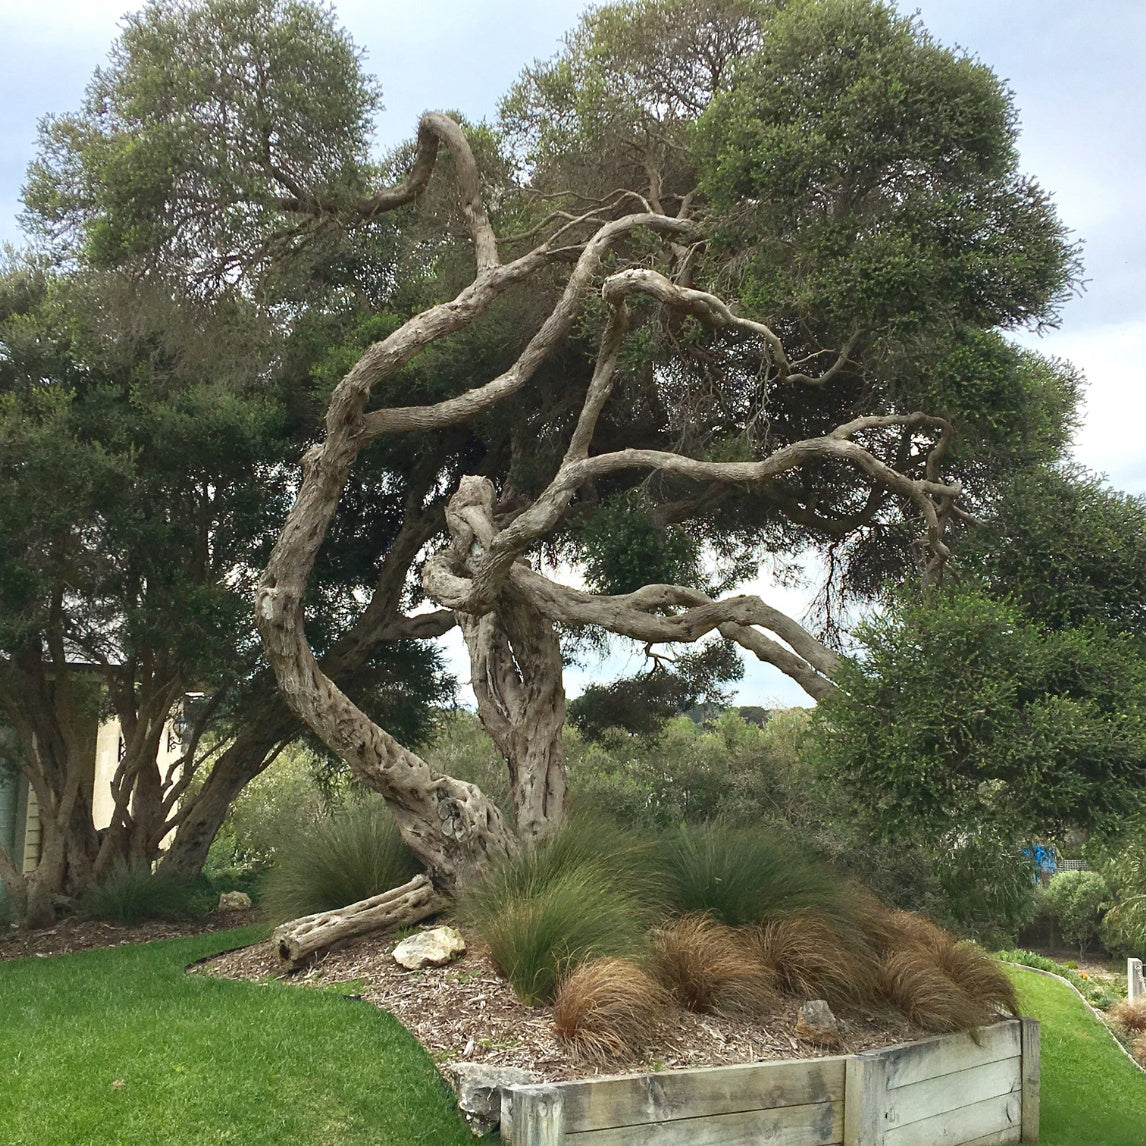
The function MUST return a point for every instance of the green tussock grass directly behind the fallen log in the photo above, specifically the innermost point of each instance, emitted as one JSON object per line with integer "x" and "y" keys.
{"x": 352, "y": 855}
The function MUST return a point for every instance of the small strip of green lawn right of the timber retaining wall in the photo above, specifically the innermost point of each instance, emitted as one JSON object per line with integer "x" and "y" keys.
{"x": 1092, "y": 1094}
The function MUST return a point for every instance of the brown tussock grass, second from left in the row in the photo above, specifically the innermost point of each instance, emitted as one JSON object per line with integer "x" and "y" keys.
{"x": 712, "y": 968}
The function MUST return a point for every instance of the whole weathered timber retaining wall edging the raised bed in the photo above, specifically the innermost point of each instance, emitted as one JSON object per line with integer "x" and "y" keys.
{"x": 970, "y": 1089}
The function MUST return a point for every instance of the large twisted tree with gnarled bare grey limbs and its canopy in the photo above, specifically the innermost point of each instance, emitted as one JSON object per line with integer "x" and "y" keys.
{"x": 627, "y": 312}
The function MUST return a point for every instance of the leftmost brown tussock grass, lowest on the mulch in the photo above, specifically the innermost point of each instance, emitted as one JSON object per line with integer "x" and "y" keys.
{"x": 608, "y": 1009}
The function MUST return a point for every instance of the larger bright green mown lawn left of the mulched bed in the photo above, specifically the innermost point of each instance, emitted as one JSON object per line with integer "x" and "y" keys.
{"x": 121, "y": 1047}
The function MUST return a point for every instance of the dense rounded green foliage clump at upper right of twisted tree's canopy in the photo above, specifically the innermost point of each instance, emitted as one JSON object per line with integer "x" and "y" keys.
{"x": 870, "y": 179}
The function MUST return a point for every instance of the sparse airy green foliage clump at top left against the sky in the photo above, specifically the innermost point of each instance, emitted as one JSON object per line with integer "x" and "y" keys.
{"x": 209, "y": 117}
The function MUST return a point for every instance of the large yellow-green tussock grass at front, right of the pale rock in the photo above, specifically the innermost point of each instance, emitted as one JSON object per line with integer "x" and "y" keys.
{"x": 590, "y": 891}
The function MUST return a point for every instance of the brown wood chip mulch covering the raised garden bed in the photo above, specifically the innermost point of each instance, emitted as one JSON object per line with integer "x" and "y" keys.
{"x": 466, "y": 1012}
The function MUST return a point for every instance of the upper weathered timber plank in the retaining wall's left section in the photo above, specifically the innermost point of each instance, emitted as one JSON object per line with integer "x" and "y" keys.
{"x": 640, "y": 1100}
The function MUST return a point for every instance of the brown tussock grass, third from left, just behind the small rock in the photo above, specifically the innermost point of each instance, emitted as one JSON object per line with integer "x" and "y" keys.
{"x": 811, "y": 957}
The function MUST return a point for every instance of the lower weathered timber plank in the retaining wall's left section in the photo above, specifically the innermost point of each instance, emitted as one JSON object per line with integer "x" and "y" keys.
{"x": 815, "y": 1125}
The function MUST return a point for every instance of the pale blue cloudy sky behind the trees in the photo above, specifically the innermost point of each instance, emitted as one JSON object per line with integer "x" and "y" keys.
{"x": 1076, "y": 70}
